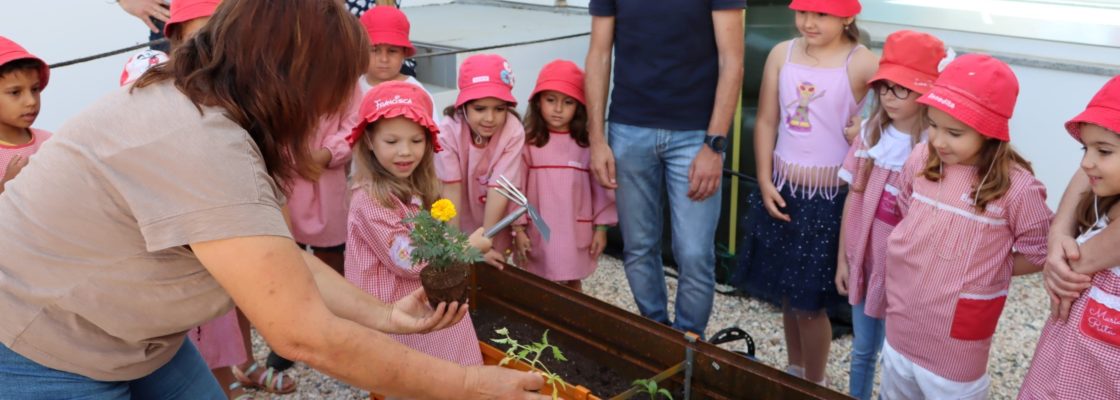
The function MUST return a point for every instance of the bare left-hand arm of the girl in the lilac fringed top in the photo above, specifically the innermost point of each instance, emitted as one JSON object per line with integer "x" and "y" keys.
{"x": 767, "y": 133}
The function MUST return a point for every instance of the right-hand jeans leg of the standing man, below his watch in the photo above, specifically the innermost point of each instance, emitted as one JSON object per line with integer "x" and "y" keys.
{"x": 694, "y": 230}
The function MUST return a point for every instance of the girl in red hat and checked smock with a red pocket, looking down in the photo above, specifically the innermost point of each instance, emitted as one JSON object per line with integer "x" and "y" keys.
{"x": 974, "y": 216}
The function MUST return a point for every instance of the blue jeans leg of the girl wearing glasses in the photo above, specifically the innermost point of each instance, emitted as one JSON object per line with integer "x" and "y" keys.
{"x": 870, "y": 334}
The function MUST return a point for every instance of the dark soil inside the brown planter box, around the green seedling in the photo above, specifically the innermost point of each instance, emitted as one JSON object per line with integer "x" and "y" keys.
{"x": 578, "y": 370}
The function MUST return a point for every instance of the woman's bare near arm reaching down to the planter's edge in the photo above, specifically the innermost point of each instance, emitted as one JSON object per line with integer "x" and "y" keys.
{"x": 272, "y": 284}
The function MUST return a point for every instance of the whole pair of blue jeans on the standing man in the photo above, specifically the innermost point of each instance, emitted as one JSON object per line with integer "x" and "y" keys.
{"x": 649, "y": 163}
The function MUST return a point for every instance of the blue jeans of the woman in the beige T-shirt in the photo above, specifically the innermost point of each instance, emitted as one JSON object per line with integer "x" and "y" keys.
{"x": 185, "y": 377}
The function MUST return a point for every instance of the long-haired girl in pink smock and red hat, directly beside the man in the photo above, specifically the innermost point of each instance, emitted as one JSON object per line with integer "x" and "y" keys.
{"x": 557, "y": 162}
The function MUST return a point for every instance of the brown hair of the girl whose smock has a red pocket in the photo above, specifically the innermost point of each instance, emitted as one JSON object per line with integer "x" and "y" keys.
{"x": 997, "y": 162}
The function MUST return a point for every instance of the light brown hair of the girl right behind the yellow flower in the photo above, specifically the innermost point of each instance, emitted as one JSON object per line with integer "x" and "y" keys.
{"x": 384, "y": 185}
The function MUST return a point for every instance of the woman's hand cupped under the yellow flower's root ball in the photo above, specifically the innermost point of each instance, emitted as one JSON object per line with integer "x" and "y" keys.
{"x": 413, "y": 315}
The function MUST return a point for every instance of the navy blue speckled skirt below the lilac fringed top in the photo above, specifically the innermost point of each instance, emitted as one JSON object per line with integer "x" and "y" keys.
{"x": 792, "y": 263}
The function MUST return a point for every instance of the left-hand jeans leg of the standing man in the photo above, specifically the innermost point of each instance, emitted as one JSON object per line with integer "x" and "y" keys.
{"x": 640, "y": 174}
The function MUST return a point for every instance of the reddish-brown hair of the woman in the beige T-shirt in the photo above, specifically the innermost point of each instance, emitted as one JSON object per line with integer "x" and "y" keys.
{"x": 276, "y": 68}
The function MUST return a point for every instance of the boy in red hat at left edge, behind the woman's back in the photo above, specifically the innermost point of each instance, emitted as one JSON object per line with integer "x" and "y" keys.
{"x": 23, "y": 78}
